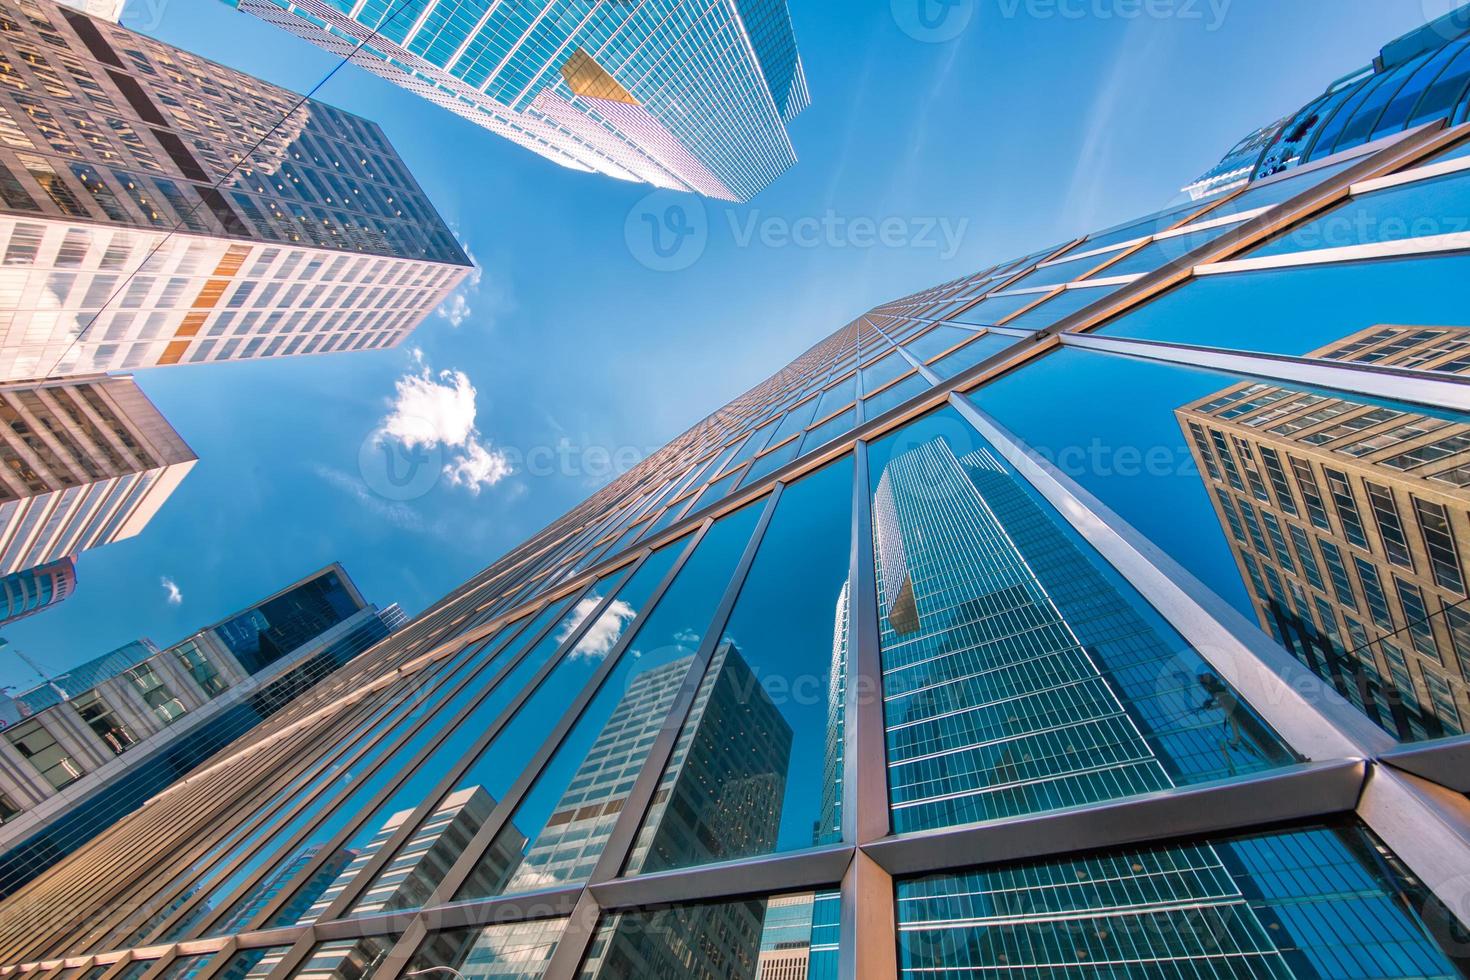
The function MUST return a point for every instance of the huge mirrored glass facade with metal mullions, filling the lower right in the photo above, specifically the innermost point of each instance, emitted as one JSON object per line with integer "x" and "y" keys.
{"x": 1077, "y": 740}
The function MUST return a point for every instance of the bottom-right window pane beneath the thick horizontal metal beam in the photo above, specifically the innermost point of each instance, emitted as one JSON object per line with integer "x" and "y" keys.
{"x": 1325, "y": 901}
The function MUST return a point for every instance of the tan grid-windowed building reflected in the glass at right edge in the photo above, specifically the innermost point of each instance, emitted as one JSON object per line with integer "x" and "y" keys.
{"x": 1347, "y": 521}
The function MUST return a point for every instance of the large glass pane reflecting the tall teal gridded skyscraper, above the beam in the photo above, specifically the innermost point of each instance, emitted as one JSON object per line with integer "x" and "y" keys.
{"x": 1021, "y": 674}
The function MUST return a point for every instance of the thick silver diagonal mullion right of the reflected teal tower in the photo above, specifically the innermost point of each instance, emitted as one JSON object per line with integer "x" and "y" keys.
{"x": 1271, "y": 680}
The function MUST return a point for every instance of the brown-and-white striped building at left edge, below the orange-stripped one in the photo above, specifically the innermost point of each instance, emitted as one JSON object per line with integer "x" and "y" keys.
{"x": 87, "y": 462}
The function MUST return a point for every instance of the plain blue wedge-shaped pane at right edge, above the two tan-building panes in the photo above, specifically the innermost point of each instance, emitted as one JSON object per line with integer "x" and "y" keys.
{"x": 1438, "y": 206}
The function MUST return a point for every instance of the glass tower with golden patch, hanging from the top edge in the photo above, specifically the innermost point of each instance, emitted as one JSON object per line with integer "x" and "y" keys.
{"x": 686, "y": 96}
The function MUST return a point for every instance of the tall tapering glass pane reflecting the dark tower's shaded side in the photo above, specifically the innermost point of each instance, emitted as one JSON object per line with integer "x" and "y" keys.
{"x": 758, "y": 765}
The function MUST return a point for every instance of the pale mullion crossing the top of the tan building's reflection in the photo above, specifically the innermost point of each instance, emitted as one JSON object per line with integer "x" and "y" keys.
{"x": 1400, "y": 384}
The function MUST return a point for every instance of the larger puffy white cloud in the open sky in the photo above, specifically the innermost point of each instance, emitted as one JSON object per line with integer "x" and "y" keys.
{"x": 437, "y": 411}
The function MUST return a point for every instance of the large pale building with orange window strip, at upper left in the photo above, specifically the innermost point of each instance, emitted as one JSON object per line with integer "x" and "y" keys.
{"x": 142, "y": 226}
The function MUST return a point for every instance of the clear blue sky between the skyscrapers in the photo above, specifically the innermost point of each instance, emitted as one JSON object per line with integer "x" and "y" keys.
{"x": 1024, "y": 123}
